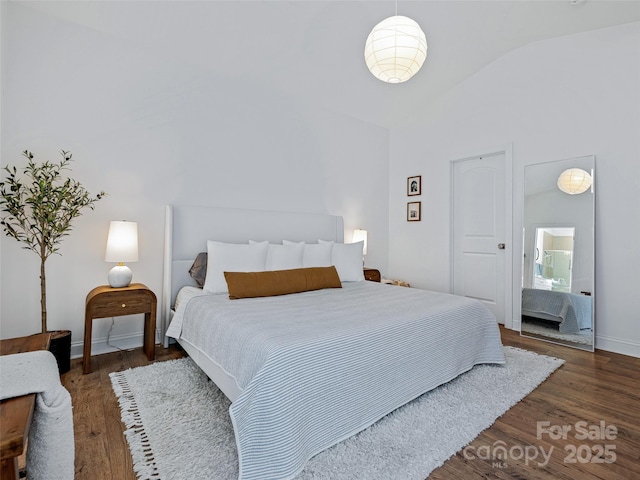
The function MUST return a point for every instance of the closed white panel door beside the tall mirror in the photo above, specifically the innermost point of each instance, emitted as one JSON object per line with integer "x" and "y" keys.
{"x": 478, "y": 234}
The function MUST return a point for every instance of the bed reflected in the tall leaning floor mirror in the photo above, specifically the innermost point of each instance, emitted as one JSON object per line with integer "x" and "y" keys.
{"x": 572, "y": 311}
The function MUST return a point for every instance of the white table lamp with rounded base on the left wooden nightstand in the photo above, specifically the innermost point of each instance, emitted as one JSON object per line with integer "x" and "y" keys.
{"x": 122, "y": 246}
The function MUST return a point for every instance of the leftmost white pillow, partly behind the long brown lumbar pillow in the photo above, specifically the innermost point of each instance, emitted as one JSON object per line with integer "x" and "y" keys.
{"x": 232, "y": 257}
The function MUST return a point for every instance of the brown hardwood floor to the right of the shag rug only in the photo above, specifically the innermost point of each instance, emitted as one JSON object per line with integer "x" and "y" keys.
{"x": 589, "y": 396}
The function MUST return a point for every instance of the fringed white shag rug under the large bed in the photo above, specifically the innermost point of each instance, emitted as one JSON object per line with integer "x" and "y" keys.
{"x": 178, "y": 424}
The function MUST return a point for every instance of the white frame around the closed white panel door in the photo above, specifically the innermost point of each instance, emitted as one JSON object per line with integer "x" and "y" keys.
{"x": 509, "y": 287}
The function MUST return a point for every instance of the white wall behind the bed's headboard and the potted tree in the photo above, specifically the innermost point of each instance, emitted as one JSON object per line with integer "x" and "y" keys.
{"x": 152, "y": 130}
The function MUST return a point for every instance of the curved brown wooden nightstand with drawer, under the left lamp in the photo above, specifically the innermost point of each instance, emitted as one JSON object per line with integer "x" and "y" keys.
{"x": 106, "y": 301}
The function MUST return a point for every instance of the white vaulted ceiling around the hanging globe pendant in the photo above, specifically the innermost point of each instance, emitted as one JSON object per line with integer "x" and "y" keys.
{"x": 315, "y": 48}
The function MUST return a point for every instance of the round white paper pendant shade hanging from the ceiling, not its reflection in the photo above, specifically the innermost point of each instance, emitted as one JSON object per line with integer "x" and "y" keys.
{"x": 395, "y": 49}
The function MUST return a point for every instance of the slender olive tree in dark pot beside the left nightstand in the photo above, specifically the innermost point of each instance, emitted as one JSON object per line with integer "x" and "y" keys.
{"x": 37, "y": 211}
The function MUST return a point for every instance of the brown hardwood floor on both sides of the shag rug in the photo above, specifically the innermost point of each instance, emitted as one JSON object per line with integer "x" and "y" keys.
{"x": 600, "y": 390}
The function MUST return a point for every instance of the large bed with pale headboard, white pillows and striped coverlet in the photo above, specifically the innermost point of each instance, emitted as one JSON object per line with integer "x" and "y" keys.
{"x": 307, "y": 369}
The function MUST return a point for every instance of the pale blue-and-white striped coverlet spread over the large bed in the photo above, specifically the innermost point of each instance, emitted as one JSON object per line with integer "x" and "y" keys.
{"x": 317, "y": 367}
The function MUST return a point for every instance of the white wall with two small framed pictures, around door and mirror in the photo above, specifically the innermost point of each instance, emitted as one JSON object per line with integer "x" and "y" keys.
{"x": 552, "y": 100}
